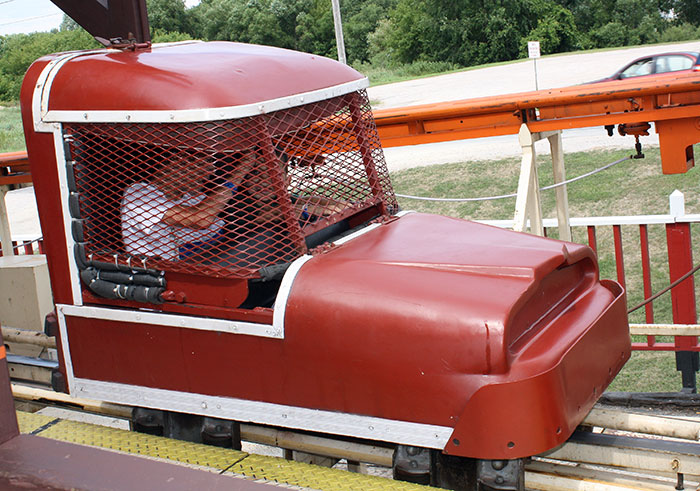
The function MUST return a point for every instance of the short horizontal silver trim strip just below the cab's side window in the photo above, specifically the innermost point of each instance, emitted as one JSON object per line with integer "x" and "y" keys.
{"x": 171, "y": 320}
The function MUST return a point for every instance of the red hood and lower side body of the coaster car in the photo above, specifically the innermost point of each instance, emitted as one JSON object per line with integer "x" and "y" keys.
{"x": 482, "y": 316}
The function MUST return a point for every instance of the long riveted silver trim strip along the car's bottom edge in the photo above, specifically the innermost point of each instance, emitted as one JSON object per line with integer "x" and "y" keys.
{"x": 352, "y": 425}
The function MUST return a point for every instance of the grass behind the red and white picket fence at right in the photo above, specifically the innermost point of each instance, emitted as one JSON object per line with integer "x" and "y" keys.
{"x": 634, "y": 187}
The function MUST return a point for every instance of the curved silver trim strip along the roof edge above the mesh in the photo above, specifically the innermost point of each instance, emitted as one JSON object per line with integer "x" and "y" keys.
{"x": 204, "y": 114}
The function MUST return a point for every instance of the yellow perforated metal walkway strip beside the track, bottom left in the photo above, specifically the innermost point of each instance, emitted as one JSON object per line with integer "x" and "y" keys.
{"x": 272, "y": 469}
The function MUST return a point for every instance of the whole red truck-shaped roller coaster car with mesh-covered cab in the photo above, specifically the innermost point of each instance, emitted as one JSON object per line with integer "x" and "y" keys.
{"x": 224, "y": 242}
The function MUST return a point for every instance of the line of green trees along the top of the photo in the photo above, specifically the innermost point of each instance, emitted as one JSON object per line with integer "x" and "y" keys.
{"x": 458, "y": 33}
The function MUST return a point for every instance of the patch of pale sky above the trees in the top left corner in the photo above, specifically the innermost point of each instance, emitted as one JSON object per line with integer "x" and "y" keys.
{"x": 34, "y": 15}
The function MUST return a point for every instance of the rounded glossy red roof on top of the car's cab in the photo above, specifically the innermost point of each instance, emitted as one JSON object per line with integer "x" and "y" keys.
{"x": 166, "y": 78}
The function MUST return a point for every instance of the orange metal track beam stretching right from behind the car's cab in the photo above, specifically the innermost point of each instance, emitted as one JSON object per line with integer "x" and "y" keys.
{"x": 671, "y": 101}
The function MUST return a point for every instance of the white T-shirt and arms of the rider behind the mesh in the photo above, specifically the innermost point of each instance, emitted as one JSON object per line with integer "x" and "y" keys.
{"x": 142, "y": 209}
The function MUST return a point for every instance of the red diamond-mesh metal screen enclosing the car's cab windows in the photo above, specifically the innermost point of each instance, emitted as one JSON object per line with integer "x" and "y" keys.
{"x": 226, "y": 198}
